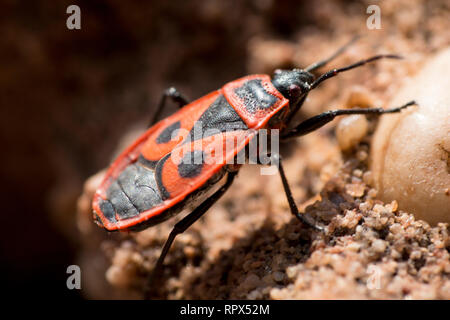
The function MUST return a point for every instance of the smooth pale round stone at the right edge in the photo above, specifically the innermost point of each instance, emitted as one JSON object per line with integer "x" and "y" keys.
{"x": 410, "y": 153}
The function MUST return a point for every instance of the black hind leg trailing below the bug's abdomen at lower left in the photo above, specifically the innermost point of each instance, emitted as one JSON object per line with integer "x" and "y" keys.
{"x": 181, "y": 226}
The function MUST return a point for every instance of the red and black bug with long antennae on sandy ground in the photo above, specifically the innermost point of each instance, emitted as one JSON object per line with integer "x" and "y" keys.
{"x": 145, "y": 186}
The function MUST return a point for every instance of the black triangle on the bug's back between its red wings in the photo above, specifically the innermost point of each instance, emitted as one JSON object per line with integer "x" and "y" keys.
{"x": 219, "y": 117}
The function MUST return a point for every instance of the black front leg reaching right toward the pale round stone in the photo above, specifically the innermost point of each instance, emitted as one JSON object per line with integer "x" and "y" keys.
{"x": 320, "y": 120}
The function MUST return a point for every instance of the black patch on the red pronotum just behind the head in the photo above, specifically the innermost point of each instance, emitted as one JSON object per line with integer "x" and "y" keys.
{"x": 255, "y": 96}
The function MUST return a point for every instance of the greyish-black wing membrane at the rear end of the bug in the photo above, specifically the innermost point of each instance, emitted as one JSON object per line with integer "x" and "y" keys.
{"x": 133, "y": 192}
